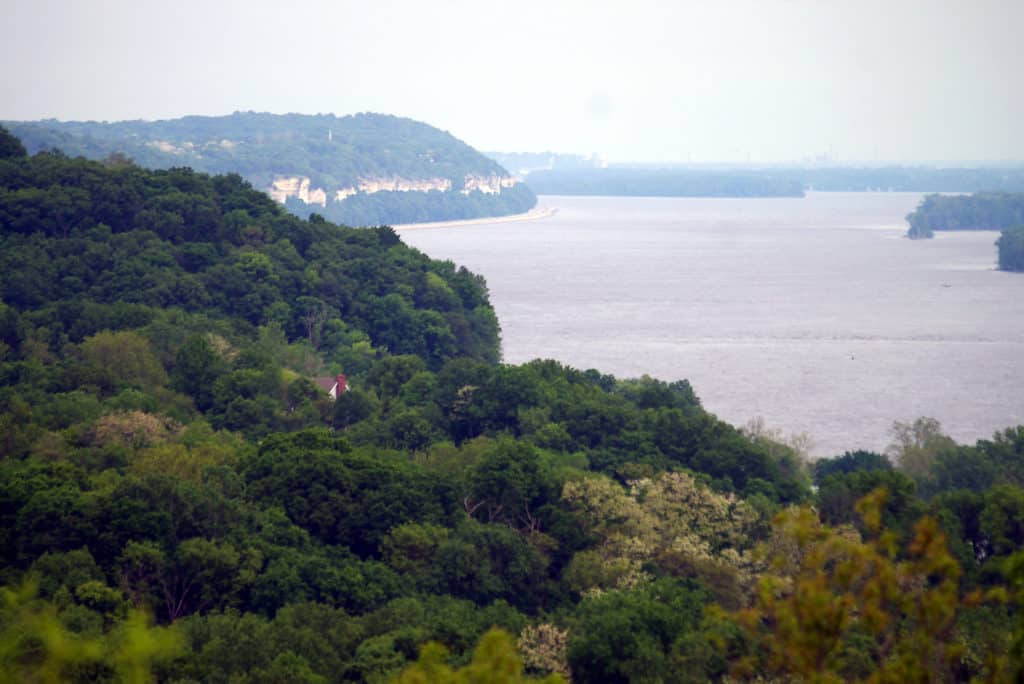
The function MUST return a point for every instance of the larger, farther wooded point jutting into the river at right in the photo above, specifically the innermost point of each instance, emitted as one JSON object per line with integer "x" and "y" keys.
{"x": 982, "y": 211}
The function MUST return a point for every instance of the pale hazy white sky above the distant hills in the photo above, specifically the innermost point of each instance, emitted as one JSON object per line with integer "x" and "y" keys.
{"x": 634, "y": 80}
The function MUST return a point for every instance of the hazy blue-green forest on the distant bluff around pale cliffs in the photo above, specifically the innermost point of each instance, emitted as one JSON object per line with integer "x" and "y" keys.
{"x": 334, "y": 153}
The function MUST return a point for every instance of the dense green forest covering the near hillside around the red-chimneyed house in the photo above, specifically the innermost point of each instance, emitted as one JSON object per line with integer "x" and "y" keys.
{"x": 180, "y": 499}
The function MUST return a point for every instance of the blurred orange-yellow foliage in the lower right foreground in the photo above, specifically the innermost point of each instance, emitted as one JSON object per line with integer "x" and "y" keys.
{"x": 837, "y": 608}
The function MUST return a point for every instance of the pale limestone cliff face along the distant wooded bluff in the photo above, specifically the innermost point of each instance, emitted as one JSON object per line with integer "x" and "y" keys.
{"x": 300, "y": 187}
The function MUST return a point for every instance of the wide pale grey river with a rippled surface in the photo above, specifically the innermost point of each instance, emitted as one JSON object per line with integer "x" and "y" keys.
{"x": 815, "y": 314}
